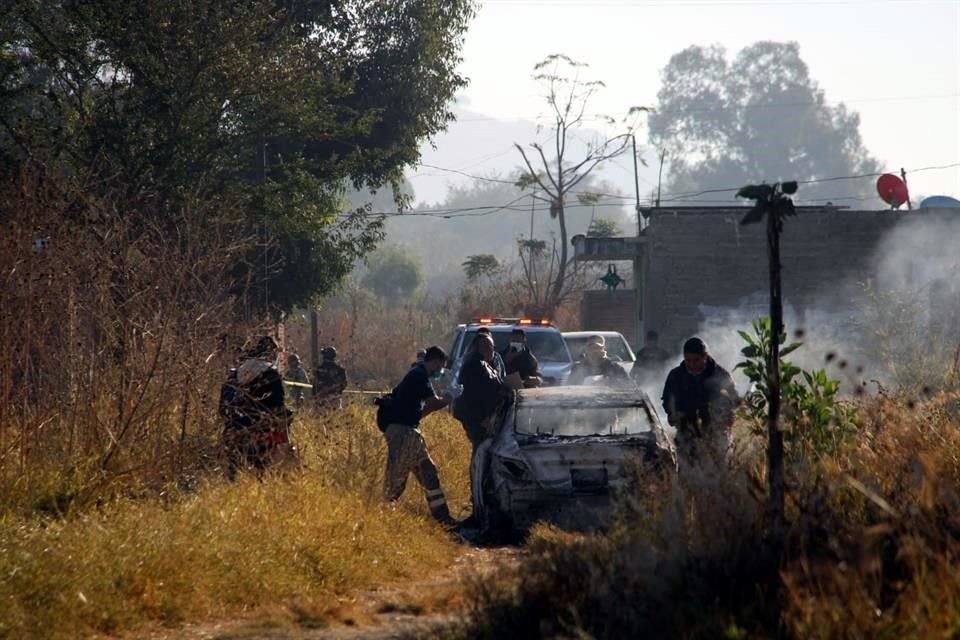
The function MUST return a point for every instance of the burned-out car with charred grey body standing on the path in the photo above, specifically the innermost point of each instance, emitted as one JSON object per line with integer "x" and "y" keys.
{"x": 562, "y": 454}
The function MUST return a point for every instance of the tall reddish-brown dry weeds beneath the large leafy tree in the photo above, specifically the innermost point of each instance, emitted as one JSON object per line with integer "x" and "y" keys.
{"x": 110, "y": 325}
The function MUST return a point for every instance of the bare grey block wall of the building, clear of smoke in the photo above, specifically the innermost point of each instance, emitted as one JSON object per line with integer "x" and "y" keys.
{"x": 697, "y": 258}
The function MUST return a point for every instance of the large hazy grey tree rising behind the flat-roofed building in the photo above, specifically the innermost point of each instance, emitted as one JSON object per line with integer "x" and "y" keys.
{"x": 758, "y": 118}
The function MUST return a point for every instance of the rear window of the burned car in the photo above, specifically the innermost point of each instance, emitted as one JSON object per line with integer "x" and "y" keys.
{"x": 634, "y": 419}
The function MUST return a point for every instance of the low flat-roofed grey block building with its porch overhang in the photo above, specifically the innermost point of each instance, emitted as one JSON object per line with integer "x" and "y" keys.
{"x": 688, "y": 260}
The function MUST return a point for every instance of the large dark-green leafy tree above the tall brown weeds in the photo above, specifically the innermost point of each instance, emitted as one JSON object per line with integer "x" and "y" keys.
{"x": 266, "y": 106}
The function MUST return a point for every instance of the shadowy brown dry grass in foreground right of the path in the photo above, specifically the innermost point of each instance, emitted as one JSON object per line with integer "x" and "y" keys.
{"x": 872, "y": 550}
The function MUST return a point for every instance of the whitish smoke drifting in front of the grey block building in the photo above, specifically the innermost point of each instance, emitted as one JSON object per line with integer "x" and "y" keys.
{"x": 895, "y": 324}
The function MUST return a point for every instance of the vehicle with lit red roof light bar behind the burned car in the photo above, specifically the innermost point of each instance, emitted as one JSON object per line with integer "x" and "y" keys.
{"x": 544, "y": 341}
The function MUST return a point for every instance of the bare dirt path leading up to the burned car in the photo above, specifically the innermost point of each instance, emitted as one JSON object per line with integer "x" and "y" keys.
{"x": 409, "y": 610}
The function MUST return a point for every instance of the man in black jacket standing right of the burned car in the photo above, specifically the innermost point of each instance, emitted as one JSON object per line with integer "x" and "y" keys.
{"x": 699, "y": 397}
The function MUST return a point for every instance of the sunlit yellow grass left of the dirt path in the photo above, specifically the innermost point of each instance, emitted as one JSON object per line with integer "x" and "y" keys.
{"x": 295, "y": 542}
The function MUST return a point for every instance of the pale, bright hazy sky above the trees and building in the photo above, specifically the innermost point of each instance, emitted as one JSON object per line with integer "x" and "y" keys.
{"x": 895, "y": 62}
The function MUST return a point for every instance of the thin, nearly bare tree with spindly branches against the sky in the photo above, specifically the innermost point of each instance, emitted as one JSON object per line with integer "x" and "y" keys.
{"x": 556, "y": 177}
